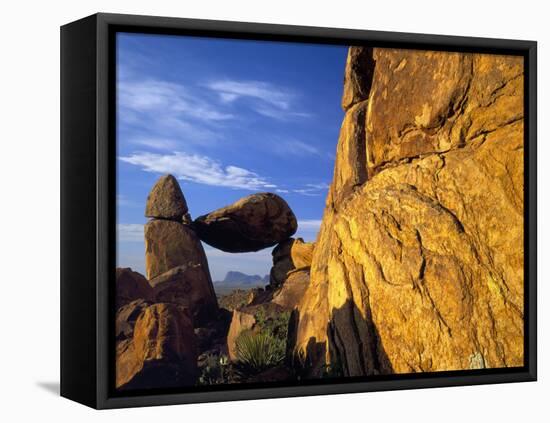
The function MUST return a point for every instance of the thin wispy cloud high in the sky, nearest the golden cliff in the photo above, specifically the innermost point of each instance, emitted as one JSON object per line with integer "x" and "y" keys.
{"x": 265, "y": 98}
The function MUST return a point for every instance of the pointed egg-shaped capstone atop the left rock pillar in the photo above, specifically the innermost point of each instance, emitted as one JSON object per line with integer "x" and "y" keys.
{"x": 166, "y": 201}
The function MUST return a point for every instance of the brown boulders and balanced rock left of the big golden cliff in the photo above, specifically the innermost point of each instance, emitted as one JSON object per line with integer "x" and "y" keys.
{"x": 169, "y": 326}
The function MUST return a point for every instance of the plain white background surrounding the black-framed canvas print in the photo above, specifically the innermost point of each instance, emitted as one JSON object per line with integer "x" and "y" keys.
{"x": 29, "y": 208}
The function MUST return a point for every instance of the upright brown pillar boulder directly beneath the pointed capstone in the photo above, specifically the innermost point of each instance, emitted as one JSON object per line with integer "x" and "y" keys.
{"x": 170, "y": 244}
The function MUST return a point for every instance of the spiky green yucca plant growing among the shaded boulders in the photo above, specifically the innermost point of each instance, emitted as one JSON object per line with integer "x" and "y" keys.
{"x": 256, "y": 352}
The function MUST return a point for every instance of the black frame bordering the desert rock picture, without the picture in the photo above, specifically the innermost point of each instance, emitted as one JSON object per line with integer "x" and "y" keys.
{"x": 88, "y": 206}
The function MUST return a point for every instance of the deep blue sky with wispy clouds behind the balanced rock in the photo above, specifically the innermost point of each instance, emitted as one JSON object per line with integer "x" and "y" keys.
{"x": 227, "y": 118}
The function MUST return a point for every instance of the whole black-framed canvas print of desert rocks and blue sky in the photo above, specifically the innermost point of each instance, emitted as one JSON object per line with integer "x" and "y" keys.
{"x": 255, "y": 211}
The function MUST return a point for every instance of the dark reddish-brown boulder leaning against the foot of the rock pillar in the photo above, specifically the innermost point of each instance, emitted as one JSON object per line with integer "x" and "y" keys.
{"x": 189, "y": 286}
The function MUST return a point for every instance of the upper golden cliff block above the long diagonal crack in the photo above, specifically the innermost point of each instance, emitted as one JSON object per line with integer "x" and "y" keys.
{"x": 456, "y": 99}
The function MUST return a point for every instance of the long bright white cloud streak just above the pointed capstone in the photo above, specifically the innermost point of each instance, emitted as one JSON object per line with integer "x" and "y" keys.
{"x": 199, "y": 169}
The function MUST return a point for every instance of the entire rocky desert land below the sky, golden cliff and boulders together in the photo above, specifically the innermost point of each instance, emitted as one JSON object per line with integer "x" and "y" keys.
{"x": 418, "y": 265}
